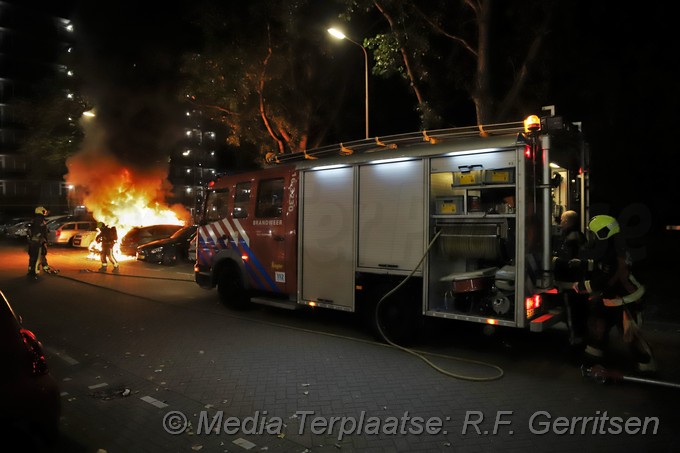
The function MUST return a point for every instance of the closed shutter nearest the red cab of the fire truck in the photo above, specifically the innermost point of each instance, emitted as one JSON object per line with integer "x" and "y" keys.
{"x": 327, "y": 237}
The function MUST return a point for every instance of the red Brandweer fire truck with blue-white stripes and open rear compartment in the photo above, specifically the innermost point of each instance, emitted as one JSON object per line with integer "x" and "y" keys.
{"x": 455, "y": 223}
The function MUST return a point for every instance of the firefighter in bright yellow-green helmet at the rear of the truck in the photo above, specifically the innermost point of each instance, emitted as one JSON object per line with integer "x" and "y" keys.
{"x": 615, "y": 296}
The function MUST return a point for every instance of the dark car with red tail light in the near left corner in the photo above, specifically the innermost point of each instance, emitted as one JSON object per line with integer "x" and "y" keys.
{"x": 31, "y": 405}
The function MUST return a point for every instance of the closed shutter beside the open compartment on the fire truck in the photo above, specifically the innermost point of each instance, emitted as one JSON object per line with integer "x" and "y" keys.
{"x": 391, "y": 216}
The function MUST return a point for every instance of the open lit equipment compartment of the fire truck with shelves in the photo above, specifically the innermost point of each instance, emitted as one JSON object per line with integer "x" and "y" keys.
{"x": 476, "y": 205}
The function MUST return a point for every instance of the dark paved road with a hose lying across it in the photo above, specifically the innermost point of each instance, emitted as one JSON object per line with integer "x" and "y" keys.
{"x": 146, "y": 353}
